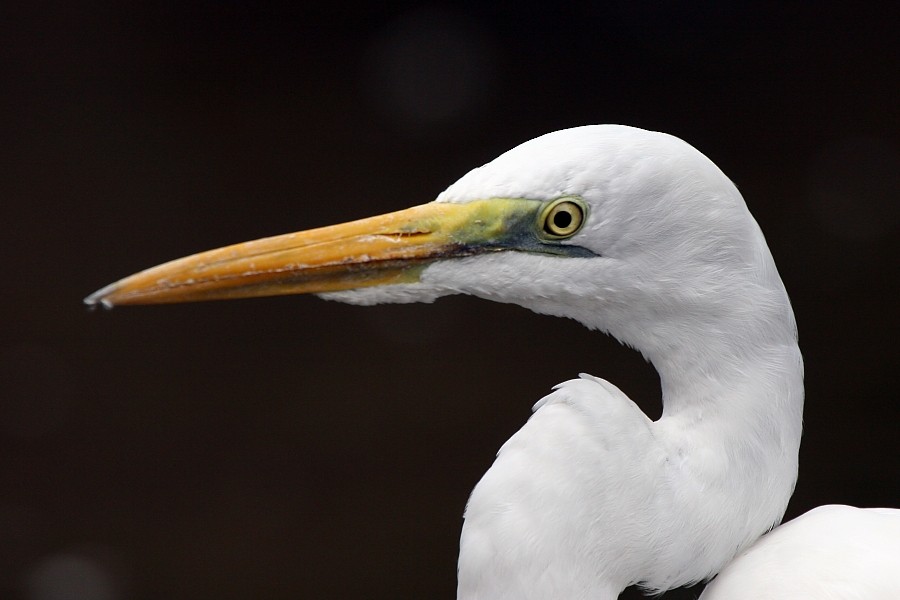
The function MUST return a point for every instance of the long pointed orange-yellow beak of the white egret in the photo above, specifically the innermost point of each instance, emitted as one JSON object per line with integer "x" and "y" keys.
{"x": 387, "y": 249}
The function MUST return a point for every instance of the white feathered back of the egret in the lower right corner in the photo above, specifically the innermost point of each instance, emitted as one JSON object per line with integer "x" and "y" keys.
{"x": 829, "y": 553}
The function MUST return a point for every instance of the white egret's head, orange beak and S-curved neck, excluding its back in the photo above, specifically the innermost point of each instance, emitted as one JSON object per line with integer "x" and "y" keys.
{"x": 631, "y": 232}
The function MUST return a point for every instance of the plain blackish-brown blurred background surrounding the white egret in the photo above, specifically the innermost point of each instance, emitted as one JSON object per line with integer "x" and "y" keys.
{"x": 294, "y": 448}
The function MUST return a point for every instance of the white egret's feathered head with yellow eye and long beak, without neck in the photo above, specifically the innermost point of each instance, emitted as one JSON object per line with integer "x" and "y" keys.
{"x": 602, "y": 224}
